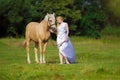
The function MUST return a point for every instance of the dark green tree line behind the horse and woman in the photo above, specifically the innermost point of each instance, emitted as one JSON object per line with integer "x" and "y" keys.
{"x": 85, "y": 17}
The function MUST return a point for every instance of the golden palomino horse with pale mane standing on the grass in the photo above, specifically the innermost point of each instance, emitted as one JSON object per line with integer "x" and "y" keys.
{"x": 39, "y": 33}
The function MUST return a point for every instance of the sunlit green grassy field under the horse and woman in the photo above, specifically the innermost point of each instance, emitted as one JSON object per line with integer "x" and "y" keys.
{"x": 95, "y": 60}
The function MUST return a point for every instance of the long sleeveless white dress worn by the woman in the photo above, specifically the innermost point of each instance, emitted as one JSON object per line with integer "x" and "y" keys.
{"x": 65, "y": 48}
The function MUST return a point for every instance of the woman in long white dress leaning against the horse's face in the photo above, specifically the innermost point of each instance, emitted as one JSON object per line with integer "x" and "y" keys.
{"x": 65, "y": 47}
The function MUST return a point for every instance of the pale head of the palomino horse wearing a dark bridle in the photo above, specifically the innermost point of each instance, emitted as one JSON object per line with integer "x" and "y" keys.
{"x": 51, "y": 20}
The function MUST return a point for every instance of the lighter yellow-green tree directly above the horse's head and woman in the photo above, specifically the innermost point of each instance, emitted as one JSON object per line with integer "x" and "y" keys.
{"x": 65, "y": 8}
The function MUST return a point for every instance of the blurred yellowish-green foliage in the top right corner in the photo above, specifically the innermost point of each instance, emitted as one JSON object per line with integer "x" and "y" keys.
{"x": 112, "y": 9}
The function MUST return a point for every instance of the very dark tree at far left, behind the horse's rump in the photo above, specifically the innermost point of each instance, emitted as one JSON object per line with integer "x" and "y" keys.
{"x": 12, "y": 16}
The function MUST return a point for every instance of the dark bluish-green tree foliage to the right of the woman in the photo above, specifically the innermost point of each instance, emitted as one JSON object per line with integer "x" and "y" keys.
{"x": 93, "y": 18}
